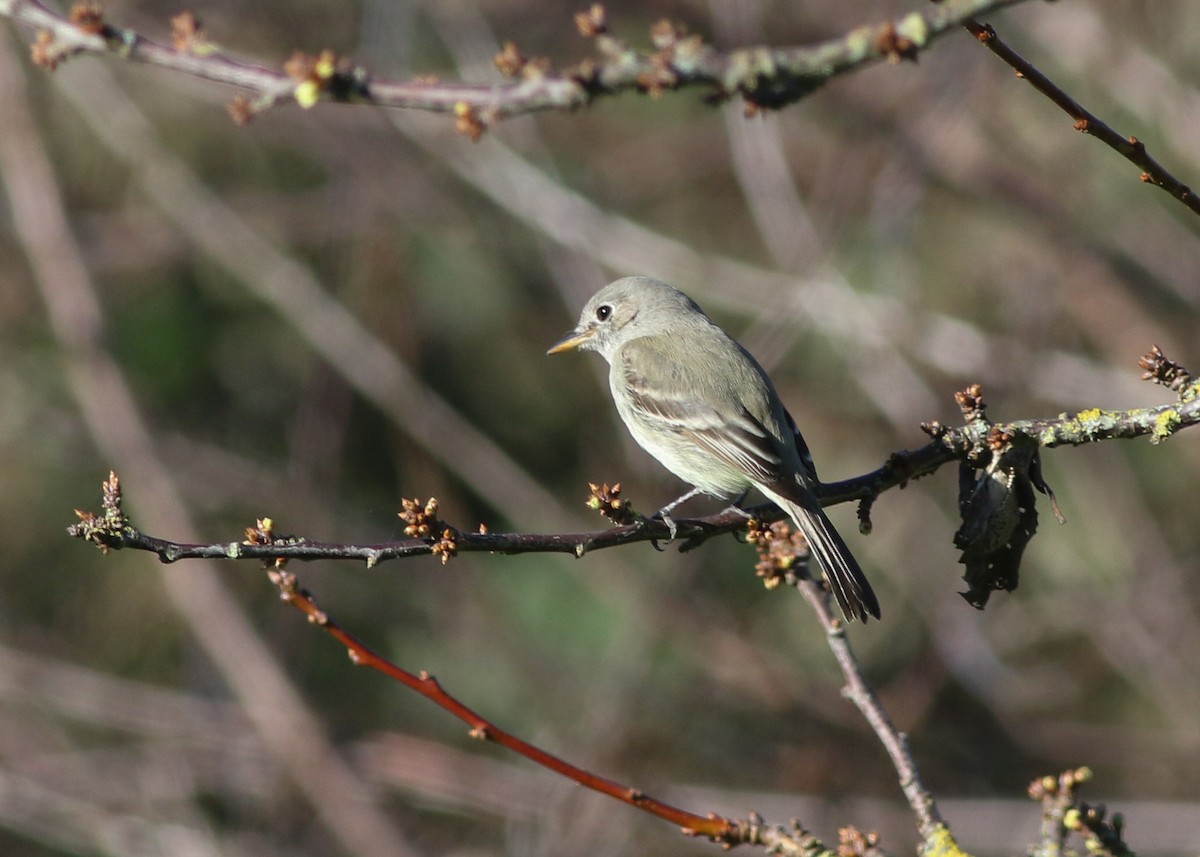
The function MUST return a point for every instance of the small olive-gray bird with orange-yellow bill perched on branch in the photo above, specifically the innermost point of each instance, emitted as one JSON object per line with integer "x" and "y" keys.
{"x": 695, "y": 400}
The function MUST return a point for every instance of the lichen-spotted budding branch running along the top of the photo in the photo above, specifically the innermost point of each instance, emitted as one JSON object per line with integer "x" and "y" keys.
{"x": 764, "y": 76}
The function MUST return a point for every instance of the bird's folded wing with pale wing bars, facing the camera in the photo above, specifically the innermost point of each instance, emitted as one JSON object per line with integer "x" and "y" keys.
{"x": 692, "y": 403}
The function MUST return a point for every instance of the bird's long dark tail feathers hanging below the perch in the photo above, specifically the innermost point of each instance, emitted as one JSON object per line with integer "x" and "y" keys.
{"x": 847, "y": 579}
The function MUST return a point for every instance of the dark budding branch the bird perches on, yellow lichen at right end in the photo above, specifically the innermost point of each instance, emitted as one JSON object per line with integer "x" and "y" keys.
{"x": 980, "y": 445}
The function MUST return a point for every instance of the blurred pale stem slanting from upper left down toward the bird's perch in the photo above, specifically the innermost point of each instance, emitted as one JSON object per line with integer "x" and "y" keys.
{"x": 289, "y": 286}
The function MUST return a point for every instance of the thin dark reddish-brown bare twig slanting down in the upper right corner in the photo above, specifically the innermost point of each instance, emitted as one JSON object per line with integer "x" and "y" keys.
{"x": 1131, "y": 148}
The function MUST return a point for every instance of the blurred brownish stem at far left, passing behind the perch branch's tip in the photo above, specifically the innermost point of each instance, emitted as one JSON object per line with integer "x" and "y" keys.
{"x": 116, "y": 424}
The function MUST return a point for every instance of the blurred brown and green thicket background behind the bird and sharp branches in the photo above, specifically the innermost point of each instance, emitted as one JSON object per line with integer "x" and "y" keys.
{"x": 325, "y": 311}
